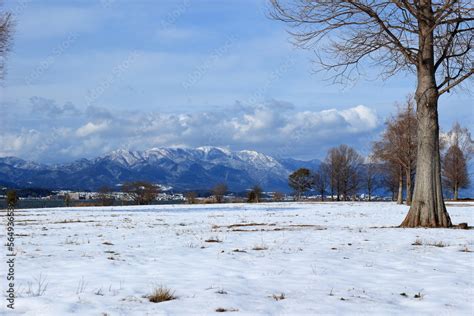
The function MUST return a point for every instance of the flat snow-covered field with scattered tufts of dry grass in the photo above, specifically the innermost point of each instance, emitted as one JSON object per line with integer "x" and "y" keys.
{"x": 326, "y": 258}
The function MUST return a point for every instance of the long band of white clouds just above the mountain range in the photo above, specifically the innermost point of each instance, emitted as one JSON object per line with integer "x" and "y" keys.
{"x": 49, "y": 132}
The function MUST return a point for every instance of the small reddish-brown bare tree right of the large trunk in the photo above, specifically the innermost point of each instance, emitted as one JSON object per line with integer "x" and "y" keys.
{"x": 455, "y": 175}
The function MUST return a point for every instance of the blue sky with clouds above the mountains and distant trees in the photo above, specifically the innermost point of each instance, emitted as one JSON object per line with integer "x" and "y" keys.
{"x": 88, "y": 77}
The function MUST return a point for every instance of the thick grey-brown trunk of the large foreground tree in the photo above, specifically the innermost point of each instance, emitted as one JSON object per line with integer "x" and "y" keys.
{"x": 427, "y": 208}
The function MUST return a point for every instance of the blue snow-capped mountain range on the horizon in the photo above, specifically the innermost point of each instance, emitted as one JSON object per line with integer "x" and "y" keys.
{"x": 181, "y": 168}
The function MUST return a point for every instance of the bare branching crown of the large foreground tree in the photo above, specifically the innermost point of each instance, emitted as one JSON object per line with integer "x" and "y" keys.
{"x": 383, "y": 33}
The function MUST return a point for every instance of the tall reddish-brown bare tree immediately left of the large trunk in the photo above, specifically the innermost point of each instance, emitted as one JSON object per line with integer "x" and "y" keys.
{"x": 398, "y": 145}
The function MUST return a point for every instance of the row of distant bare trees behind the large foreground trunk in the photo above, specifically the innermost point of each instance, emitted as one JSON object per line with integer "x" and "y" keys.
{"x": 391, "y": 164}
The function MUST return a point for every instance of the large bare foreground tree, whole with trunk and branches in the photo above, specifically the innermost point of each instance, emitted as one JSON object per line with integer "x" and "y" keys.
{"x": 432, "y": 39}
